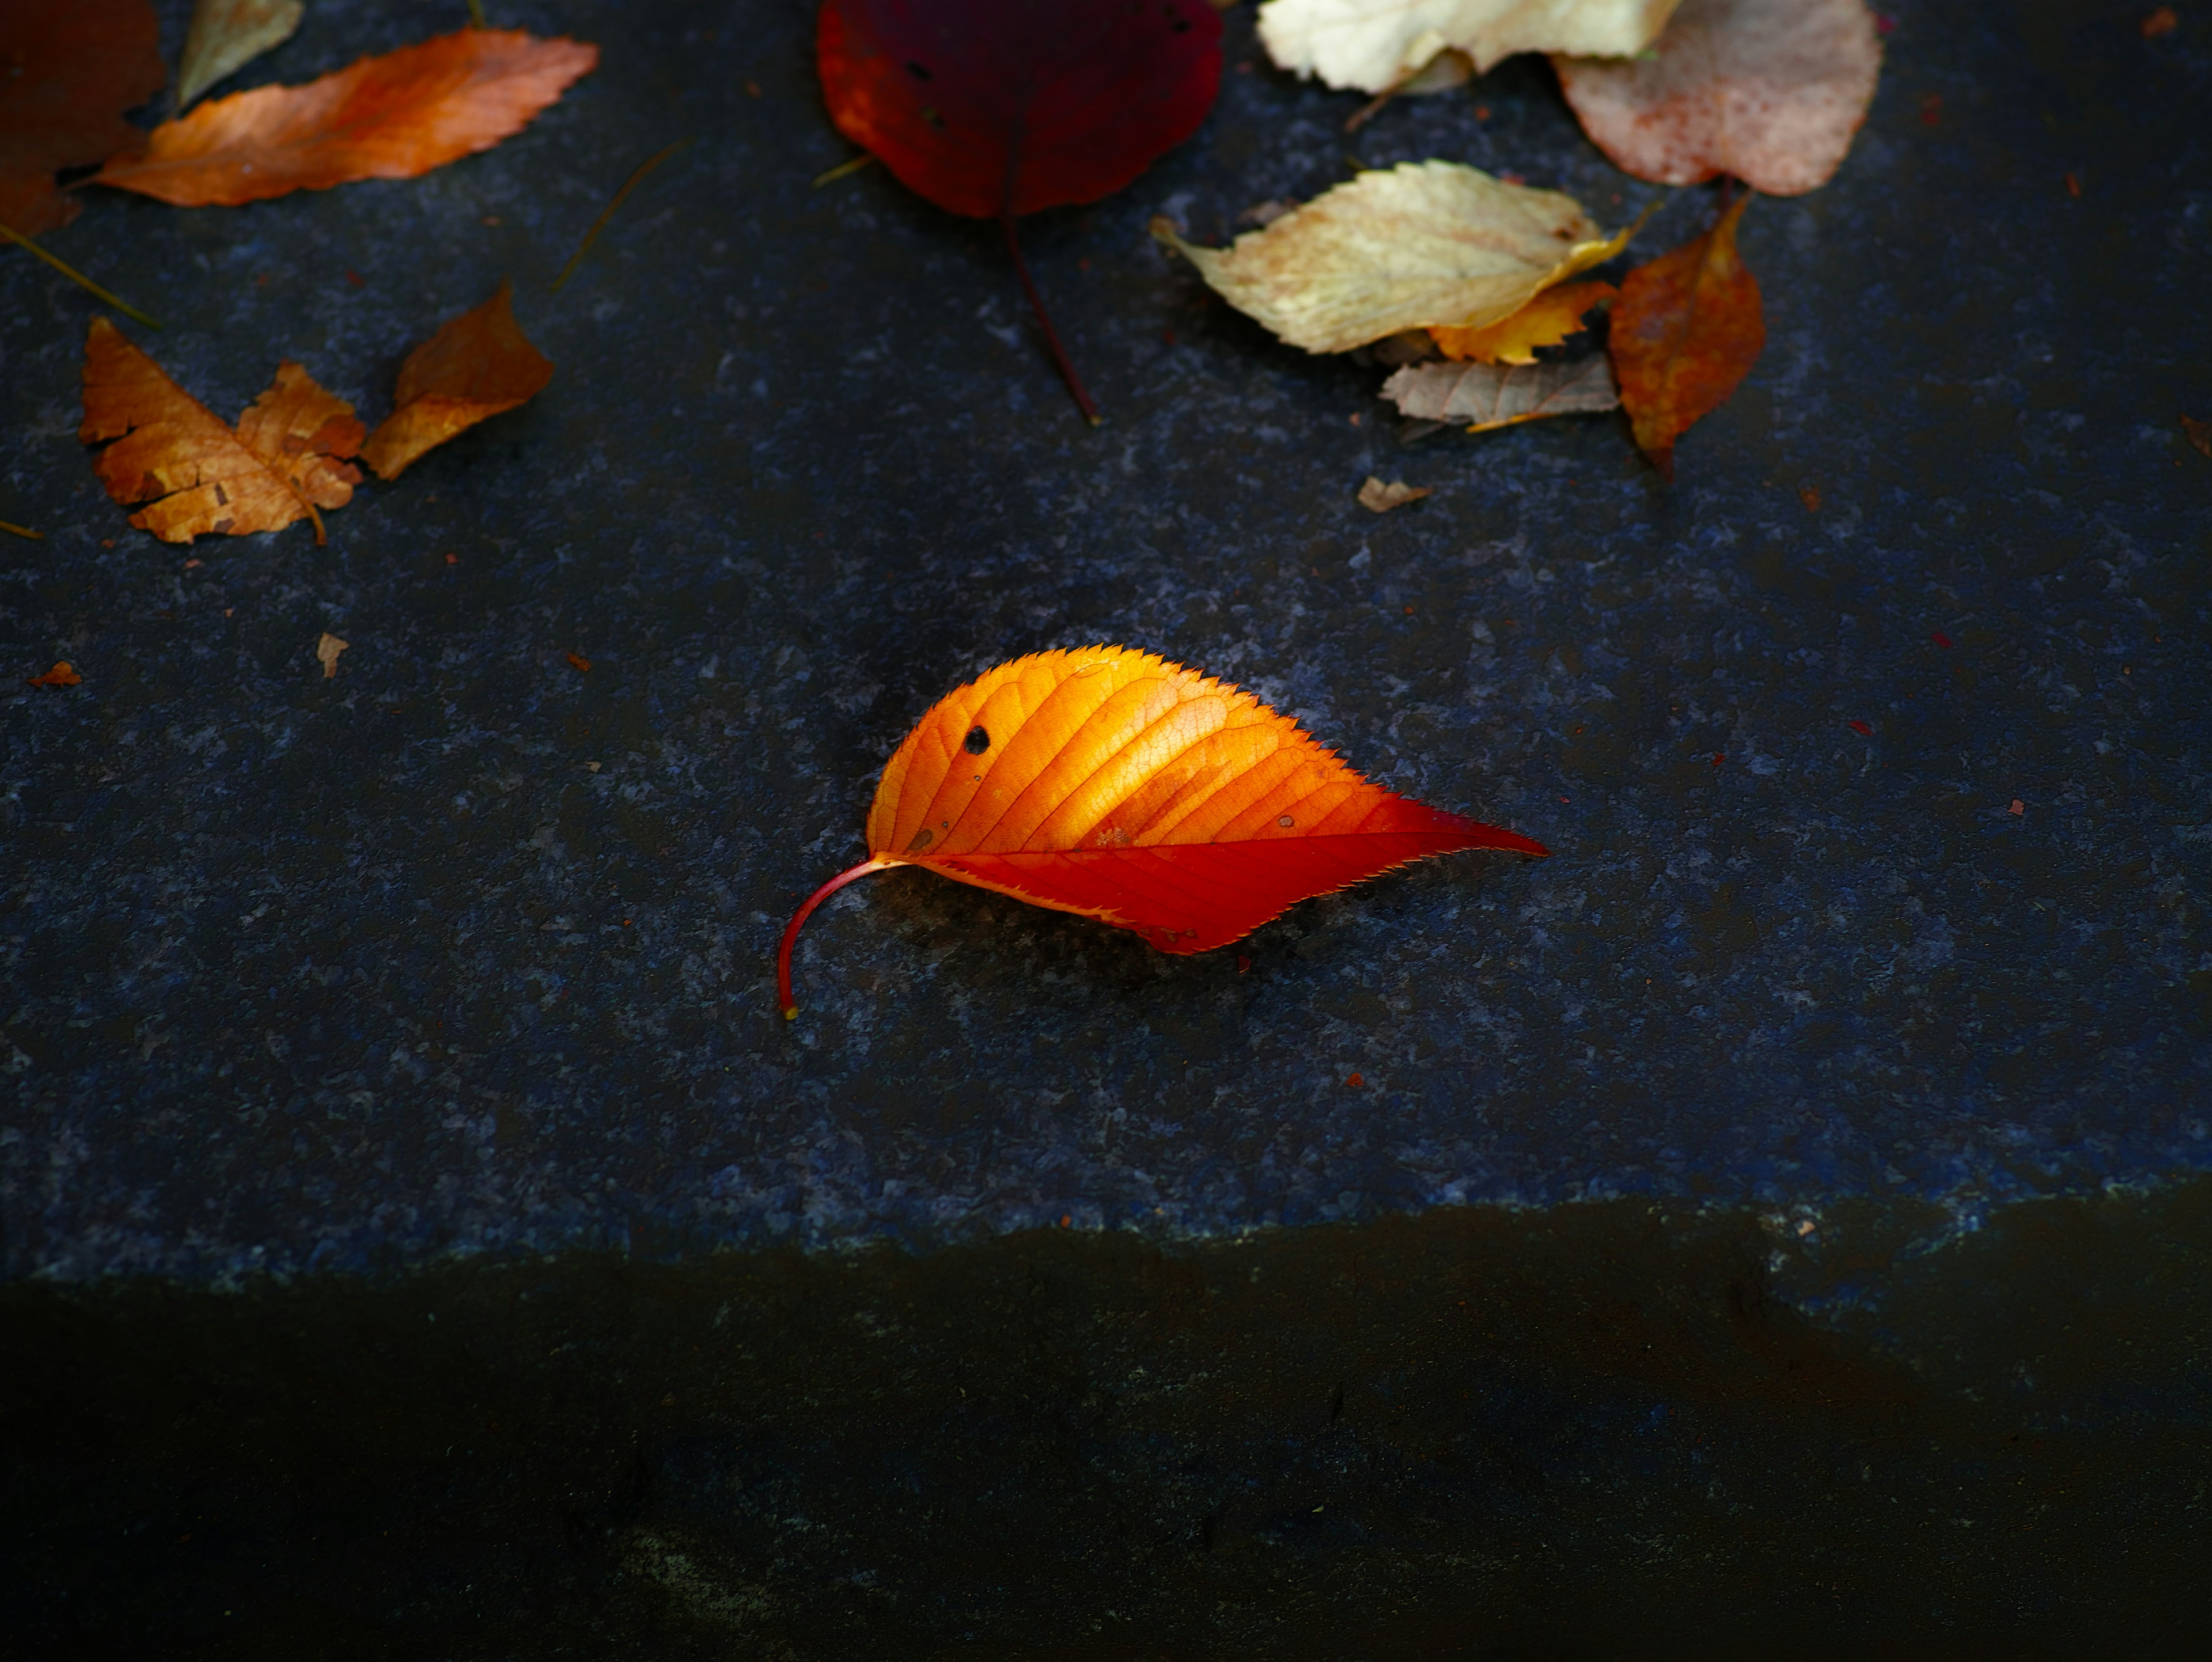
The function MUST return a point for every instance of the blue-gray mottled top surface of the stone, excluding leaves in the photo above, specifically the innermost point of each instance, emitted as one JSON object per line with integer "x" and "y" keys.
{"x": 466, "y": 948}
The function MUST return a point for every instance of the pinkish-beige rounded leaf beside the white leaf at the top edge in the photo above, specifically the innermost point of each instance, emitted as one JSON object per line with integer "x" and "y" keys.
{"x": 1771, "y": 92}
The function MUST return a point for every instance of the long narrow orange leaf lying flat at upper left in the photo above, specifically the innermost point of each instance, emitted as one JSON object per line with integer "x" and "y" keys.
{"x": 384, "y": 118}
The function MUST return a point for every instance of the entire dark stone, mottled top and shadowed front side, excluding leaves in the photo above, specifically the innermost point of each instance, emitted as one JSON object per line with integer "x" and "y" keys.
{"x": 1775, "y": 1223}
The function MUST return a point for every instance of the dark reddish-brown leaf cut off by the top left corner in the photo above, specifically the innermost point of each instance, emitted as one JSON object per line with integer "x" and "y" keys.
{"x": 67, "y": 74}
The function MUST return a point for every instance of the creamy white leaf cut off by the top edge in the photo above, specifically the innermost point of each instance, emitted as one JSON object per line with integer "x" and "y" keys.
{"x": 1379, "y": 45}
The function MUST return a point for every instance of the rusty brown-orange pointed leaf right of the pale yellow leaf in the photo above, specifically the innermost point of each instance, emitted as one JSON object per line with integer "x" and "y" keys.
{"x": 1687, "y": 331}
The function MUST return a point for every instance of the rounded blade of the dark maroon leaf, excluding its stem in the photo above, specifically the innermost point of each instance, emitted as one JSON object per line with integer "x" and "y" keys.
{"x": 1005, "y": 107}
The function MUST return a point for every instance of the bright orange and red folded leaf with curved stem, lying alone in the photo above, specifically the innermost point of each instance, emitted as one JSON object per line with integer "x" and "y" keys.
{"x": 1134, "y": 791}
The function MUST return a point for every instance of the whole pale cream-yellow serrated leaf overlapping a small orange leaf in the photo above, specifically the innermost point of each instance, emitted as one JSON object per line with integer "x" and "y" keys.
{"x": 1428, "y": 245}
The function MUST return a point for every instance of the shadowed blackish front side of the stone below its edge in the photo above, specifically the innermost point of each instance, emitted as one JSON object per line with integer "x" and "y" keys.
{"x": 1605, "y": 1431}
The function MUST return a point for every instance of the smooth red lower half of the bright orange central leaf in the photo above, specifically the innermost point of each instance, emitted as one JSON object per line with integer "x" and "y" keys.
{"x": 1196, "y": 897}
